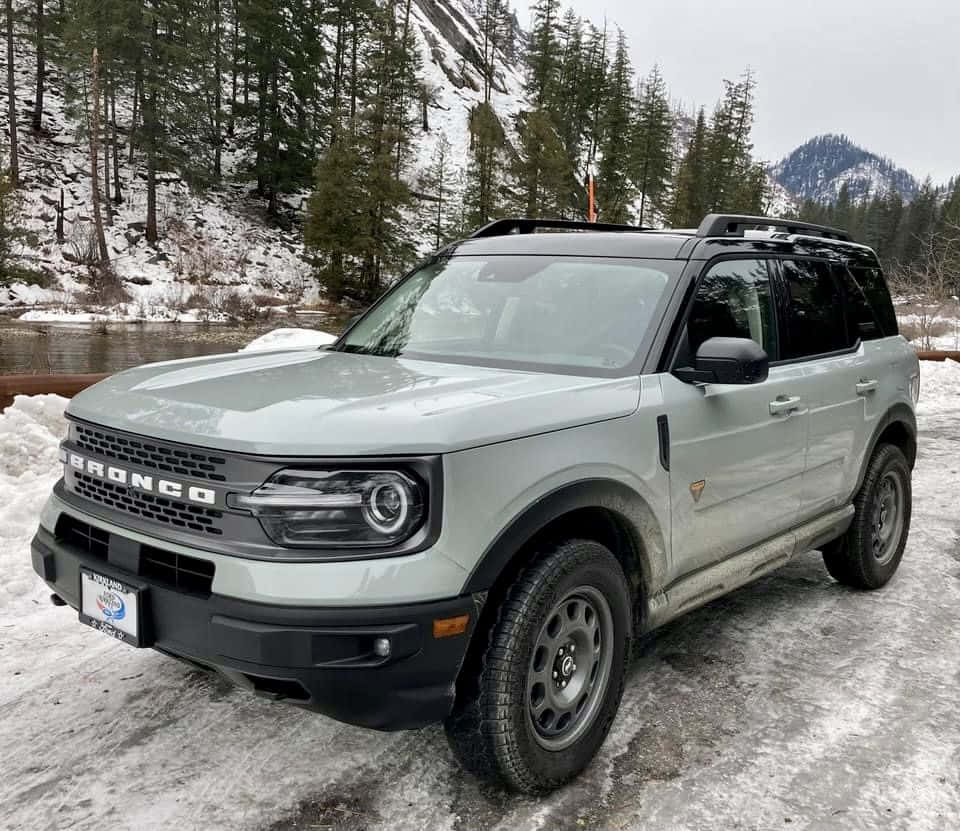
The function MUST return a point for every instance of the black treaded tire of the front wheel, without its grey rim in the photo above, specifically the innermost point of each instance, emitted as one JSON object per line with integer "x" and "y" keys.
{"x": 489, "y": 730}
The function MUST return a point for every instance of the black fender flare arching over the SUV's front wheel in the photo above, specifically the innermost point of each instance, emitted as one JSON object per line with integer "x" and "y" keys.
{"x": 631, "y": 509}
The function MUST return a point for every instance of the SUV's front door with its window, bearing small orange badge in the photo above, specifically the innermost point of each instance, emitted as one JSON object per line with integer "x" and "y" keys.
{"x": 737, "y": 452}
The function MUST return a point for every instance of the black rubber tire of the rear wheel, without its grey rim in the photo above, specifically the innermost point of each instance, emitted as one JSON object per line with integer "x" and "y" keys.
{"x": 851, "y": 559}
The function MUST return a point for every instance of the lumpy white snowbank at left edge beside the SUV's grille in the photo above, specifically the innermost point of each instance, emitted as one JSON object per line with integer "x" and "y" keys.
{"x": 30, "y": 432}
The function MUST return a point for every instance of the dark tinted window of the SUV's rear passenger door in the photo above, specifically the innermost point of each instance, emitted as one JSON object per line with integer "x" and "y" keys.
{"x": 814, "y": 310}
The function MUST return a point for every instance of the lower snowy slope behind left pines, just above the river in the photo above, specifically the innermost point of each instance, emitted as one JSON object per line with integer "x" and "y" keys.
{"x": 219, "y": 240}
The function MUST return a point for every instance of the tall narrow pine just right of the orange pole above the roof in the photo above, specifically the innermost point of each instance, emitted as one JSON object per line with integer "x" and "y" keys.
{"x": 614, "y": 187}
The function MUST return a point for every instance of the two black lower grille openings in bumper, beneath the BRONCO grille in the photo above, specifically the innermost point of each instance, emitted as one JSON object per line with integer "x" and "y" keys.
{"x": 167, "y": 568}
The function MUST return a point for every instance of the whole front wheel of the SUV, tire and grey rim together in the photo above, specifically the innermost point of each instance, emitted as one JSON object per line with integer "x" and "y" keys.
{"x": 543, "y": 694}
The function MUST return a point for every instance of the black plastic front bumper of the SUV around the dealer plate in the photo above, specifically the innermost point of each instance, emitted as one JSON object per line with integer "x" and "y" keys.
{"x": 319, "y": 658}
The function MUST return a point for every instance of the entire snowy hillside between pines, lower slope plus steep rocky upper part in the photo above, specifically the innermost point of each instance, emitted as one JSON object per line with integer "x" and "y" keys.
{"x": 218, "y": 254}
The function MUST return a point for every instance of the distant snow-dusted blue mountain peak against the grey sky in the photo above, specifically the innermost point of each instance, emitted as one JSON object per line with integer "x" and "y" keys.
{"x": 818, "y": 170}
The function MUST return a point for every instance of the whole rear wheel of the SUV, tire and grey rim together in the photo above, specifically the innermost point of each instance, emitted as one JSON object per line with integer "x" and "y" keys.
{"x": 868, "y": 554}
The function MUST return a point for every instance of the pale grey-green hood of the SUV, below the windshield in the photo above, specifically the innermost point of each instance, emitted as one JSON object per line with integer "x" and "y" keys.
{"x": 319, "y": 403}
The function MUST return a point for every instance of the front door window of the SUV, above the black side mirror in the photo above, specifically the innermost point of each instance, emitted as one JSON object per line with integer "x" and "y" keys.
{"x": 734, "y": 301}
